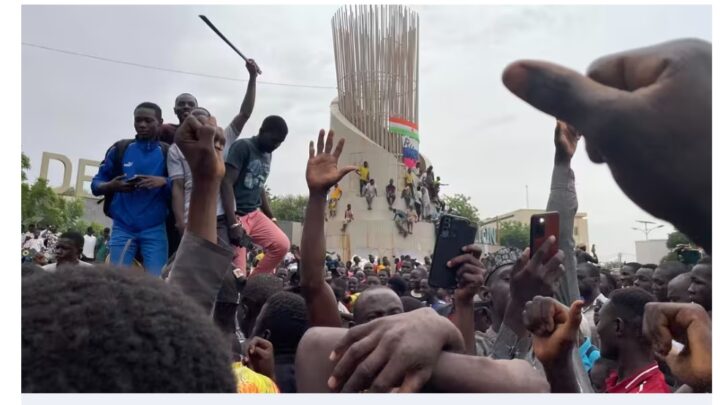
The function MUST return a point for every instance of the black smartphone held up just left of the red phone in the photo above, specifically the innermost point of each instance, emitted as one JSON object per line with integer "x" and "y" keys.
{"x": 453, "y": 234}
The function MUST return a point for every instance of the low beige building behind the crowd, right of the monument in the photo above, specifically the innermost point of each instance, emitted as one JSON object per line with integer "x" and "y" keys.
{"x": 489, "y": 232}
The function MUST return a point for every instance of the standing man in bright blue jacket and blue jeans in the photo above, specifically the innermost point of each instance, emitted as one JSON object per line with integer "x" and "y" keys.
{"x": 133, "y": 177}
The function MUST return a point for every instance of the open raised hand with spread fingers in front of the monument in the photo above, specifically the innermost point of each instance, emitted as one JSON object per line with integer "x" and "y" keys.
{"x": 322, "y": 171}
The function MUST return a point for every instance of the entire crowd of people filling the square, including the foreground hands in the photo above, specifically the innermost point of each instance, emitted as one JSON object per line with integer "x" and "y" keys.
{"x": 211, "y": 317}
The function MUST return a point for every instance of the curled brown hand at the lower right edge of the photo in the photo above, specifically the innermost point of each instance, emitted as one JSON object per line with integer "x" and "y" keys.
{"x": 690, "y": 325}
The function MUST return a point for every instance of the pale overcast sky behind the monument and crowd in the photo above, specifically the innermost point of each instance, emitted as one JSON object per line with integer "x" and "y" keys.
{"x": 481, "y": 139}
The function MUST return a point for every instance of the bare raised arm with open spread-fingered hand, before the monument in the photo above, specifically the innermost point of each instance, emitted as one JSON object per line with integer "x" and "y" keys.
{"x": 321, "y": 174}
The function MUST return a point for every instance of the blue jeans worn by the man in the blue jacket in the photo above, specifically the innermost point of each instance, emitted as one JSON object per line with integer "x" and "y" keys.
{"x": 152, "y": 242}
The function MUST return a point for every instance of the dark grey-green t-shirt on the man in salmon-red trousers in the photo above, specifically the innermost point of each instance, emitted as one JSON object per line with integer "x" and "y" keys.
{"x": 254, "y": 168}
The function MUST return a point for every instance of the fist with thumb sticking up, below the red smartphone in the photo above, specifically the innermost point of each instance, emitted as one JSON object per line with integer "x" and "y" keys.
{"x": 554, "y": 327}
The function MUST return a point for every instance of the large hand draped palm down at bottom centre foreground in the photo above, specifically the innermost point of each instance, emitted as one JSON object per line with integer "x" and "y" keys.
{"x": 398, "y": 350}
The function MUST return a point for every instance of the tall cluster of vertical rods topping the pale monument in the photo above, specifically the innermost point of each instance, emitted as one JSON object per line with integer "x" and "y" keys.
{"x": 376, "y": 59}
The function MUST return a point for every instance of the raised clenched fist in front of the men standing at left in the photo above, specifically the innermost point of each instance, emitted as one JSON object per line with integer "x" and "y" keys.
{"x": 200, "y": 139}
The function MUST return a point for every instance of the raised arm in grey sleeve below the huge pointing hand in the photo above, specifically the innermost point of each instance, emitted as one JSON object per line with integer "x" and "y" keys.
{"x": 563, "y": 199}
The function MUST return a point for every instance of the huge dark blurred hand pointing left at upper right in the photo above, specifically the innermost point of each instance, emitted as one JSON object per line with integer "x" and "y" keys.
{"x": 647, "y": 114}
